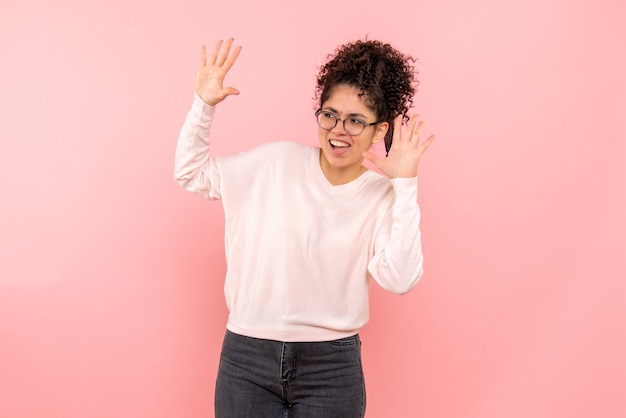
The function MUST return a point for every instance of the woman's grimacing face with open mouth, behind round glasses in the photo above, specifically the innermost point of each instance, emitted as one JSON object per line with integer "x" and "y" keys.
{"x": 341, "y": 157}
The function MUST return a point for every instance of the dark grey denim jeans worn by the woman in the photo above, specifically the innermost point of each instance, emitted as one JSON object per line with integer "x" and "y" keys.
{"x": 272, "y": 379}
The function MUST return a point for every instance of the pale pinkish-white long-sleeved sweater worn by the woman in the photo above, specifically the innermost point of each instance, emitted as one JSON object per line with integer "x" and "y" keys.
{"x": 301, "y": 252}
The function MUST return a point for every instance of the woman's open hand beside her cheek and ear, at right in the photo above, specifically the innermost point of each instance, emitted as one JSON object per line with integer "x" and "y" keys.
{"x": 406, "y": 150}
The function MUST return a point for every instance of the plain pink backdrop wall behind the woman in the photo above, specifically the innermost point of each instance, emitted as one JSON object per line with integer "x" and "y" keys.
{"x": 111, "y": 276}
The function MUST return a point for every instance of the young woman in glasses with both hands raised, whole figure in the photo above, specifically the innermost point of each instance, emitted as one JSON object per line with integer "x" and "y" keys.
{"x": 307, "y": 230}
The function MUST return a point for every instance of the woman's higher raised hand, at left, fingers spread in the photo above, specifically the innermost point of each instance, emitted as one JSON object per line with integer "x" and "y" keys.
{"x": 211, "y": 73}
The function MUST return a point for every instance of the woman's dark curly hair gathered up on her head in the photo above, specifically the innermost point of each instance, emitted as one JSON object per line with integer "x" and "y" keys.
{"x": 386, "y": 77}
